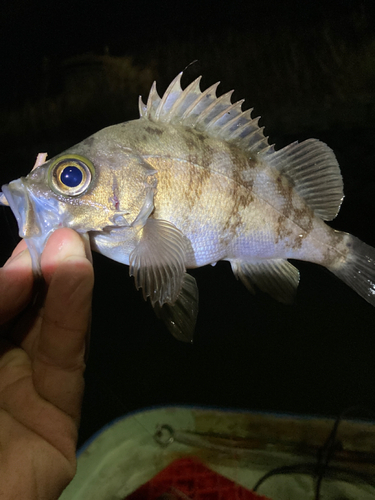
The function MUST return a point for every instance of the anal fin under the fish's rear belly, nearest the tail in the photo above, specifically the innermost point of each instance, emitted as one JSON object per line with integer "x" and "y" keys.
{"x": 277, "y": 277}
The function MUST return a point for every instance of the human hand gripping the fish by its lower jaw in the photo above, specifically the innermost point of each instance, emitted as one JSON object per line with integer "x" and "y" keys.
{"x": 42, "y": 360}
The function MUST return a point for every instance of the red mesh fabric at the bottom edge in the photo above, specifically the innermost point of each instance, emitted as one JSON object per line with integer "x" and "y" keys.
{"x": 188, "y": 478}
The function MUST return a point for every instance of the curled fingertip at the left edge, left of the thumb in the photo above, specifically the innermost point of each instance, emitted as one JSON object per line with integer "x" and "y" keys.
{"x": 16, "y": 283}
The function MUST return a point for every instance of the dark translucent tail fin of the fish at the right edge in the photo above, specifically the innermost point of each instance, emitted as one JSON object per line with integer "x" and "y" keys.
{"x": 358, "y": 271}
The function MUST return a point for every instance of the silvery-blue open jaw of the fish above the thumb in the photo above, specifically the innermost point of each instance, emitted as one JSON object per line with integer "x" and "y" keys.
{"x": 37, "y": 217}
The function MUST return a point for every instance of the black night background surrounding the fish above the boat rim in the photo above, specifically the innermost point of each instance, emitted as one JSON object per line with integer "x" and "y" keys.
{"x": 309, "y": 70}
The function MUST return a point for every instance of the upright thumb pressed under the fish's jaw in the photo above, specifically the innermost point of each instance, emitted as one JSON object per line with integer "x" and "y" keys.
{"x": 59, "y": 358}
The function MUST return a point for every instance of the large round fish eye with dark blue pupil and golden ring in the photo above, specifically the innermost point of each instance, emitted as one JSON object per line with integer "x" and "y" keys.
{"x": 70, "y": 175}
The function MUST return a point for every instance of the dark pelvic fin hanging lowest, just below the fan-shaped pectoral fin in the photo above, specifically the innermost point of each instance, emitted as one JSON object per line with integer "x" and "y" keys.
{"x": 180, "y": 317}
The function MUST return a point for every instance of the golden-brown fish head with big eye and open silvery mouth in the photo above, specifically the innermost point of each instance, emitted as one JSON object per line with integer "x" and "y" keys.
{"x": 91, "y": 186}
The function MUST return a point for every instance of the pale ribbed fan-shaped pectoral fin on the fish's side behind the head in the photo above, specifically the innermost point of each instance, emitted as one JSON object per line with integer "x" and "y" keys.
{"x": 157, "y": 262}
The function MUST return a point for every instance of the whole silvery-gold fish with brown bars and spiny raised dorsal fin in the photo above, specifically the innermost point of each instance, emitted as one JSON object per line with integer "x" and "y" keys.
{"x": 191, "y": 182}
